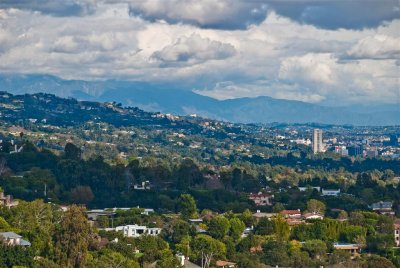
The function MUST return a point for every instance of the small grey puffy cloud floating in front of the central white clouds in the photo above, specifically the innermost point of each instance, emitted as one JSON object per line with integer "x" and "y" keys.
{"x": 194, "y": 49}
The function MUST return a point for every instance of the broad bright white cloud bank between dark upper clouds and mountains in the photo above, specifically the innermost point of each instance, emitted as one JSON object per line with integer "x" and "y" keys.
{"x": 277, "y": 57}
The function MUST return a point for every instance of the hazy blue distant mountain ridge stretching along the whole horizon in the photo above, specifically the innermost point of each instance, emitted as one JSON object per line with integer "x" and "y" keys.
{"x": 171, "y": 99}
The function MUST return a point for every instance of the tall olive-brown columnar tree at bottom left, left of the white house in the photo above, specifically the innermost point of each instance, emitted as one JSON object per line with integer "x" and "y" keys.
{"x": 72, "y": 238}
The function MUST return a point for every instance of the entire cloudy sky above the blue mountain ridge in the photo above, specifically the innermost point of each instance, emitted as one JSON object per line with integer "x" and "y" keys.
{"x": 318, "y": 51}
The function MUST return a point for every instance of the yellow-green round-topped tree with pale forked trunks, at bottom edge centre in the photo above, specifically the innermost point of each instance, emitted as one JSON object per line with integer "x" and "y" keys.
{"x": 205, "y": 248}
